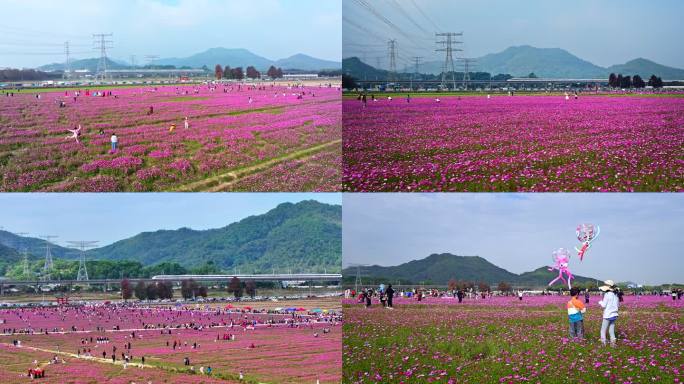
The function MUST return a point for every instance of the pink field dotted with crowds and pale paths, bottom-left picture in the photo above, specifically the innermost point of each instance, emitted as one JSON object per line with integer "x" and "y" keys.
{"x": 269, "y": 346}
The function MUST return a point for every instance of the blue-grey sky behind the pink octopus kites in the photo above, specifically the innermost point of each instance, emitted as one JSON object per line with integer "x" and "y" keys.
{"x": 641, "y": 234}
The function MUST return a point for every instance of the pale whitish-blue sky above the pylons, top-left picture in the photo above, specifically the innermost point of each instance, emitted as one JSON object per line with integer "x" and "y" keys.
{"x": 33, "y": 31}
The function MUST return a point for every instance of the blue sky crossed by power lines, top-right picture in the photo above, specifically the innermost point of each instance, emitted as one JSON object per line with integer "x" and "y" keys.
{"x": 604, "y": 32}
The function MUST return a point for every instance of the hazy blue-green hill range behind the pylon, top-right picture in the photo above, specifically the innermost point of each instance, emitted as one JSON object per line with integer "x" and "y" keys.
{"x": 520, "y": 61}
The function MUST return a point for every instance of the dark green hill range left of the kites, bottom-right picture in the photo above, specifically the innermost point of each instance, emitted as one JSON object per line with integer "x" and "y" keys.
{"x": 440, "y": 268}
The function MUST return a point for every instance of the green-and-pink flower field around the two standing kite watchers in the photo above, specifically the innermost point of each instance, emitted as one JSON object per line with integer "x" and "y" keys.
{"x": 502, "y": 340}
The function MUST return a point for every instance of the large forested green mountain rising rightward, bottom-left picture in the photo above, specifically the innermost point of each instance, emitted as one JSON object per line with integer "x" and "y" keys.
{"x": 306, "y": 236}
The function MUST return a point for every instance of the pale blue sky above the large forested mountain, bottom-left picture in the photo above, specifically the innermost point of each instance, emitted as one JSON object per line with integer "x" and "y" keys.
{"x": 108, "y": 217}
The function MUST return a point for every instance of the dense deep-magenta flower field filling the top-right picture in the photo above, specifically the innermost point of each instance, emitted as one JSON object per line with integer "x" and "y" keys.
{"x": 520, "y": 143}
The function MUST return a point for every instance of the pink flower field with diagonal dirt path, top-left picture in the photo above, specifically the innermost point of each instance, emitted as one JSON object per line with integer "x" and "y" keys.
{"x": 240, "y": 138}
